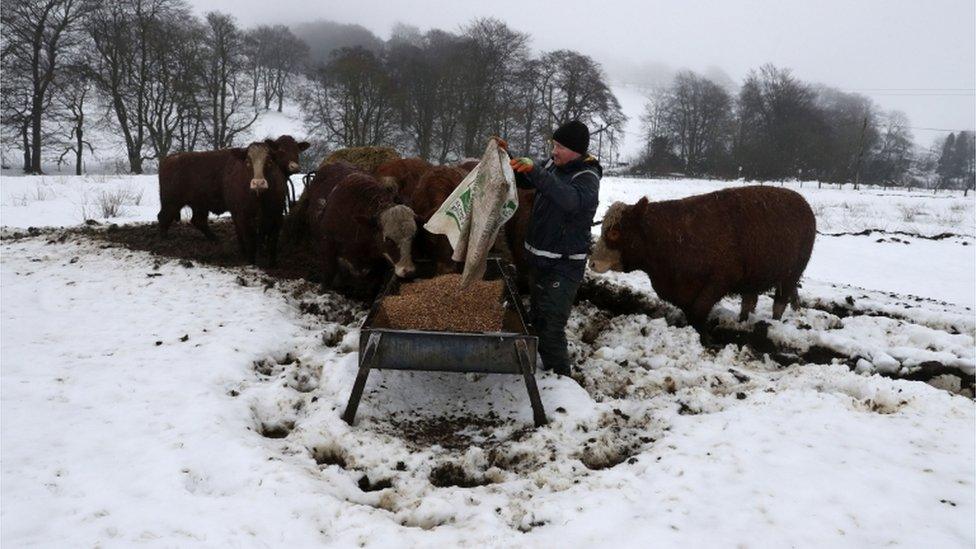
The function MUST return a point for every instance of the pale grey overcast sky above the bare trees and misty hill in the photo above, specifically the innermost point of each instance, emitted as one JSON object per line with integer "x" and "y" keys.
{"x": 918, "y": 56}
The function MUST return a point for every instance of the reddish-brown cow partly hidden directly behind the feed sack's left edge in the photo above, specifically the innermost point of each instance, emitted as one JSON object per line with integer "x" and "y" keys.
{"x": 431, "y": 191}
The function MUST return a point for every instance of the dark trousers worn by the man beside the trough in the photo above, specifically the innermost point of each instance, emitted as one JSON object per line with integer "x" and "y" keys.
{"x": 550, "y": 302}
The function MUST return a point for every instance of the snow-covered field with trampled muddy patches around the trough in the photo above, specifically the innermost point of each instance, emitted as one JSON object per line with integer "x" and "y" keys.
{"x": 149, "y": 402}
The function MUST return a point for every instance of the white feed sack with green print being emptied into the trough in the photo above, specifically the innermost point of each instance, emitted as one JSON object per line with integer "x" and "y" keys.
{"x": 472, "y": 216}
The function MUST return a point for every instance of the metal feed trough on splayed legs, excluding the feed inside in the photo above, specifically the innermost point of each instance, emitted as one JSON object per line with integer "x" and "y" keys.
{"x": 510, "y": 351}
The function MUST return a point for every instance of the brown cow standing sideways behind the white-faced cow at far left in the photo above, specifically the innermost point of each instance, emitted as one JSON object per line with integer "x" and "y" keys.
{"x": 195, "y": 179}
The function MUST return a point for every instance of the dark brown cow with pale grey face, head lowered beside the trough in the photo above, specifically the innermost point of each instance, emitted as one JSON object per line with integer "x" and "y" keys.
{"x": 362, "y": 229}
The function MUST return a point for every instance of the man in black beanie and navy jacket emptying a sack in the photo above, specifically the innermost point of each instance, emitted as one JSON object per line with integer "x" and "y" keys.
{"x": 558, "y": 240}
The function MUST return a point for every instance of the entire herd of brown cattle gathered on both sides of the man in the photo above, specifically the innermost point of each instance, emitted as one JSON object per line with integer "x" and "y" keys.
{"x": 362, "y": 220}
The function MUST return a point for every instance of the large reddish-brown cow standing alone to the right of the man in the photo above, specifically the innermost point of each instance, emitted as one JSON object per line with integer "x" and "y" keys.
{"x": 698, "y": 249}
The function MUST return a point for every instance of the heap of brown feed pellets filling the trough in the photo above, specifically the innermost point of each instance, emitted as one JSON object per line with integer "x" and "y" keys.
{"x": 437, "y": 304}
